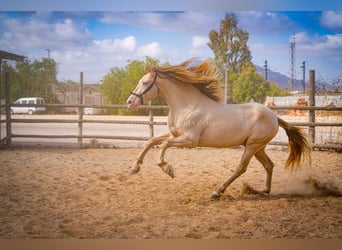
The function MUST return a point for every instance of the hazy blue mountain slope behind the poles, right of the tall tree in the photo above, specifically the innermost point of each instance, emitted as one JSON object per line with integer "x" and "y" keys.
{"x": 281, "y": 80}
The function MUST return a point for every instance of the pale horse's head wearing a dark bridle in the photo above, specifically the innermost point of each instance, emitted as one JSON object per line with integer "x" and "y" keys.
{"x": 145, "y": 91}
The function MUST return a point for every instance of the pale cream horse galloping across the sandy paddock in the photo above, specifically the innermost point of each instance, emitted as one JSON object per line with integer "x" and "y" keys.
{"x": 198, "y": 118}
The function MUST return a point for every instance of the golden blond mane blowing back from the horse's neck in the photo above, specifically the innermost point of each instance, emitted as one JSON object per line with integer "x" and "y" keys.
{"x": 205, "y": 76}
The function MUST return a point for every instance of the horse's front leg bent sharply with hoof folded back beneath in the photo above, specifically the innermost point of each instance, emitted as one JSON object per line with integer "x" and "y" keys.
{"x": 181, "y": 141}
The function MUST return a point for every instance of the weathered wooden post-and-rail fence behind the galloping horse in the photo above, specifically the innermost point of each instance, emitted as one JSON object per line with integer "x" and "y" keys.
{"x": 7, "y": 140}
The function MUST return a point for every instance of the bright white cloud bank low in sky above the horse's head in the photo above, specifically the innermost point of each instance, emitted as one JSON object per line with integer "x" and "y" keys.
{"x": 98, "y": 58}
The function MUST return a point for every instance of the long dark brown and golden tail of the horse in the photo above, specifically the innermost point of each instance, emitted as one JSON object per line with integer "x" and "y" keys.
{"x": 299, "y": 145}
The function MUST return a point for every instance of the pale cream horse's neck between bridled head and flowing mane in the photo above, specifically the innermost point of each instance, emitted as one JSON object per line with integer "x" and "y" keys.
{"x": 180, "y": 96}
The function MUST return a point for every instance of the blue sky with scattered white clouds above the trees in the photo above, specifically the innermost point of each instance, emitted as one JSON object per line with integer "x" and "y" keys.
{"x": 96, "y": 41}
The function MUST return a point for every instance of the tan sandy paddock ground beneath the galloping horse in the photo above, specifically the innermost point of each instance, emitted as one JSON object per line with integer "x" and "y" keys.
{"x": 88, "y": 193}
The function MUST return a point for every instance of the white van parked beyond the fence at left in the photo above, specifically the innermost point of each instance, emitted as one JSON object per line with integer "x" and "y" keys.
{"x": 27, "y": 109}
